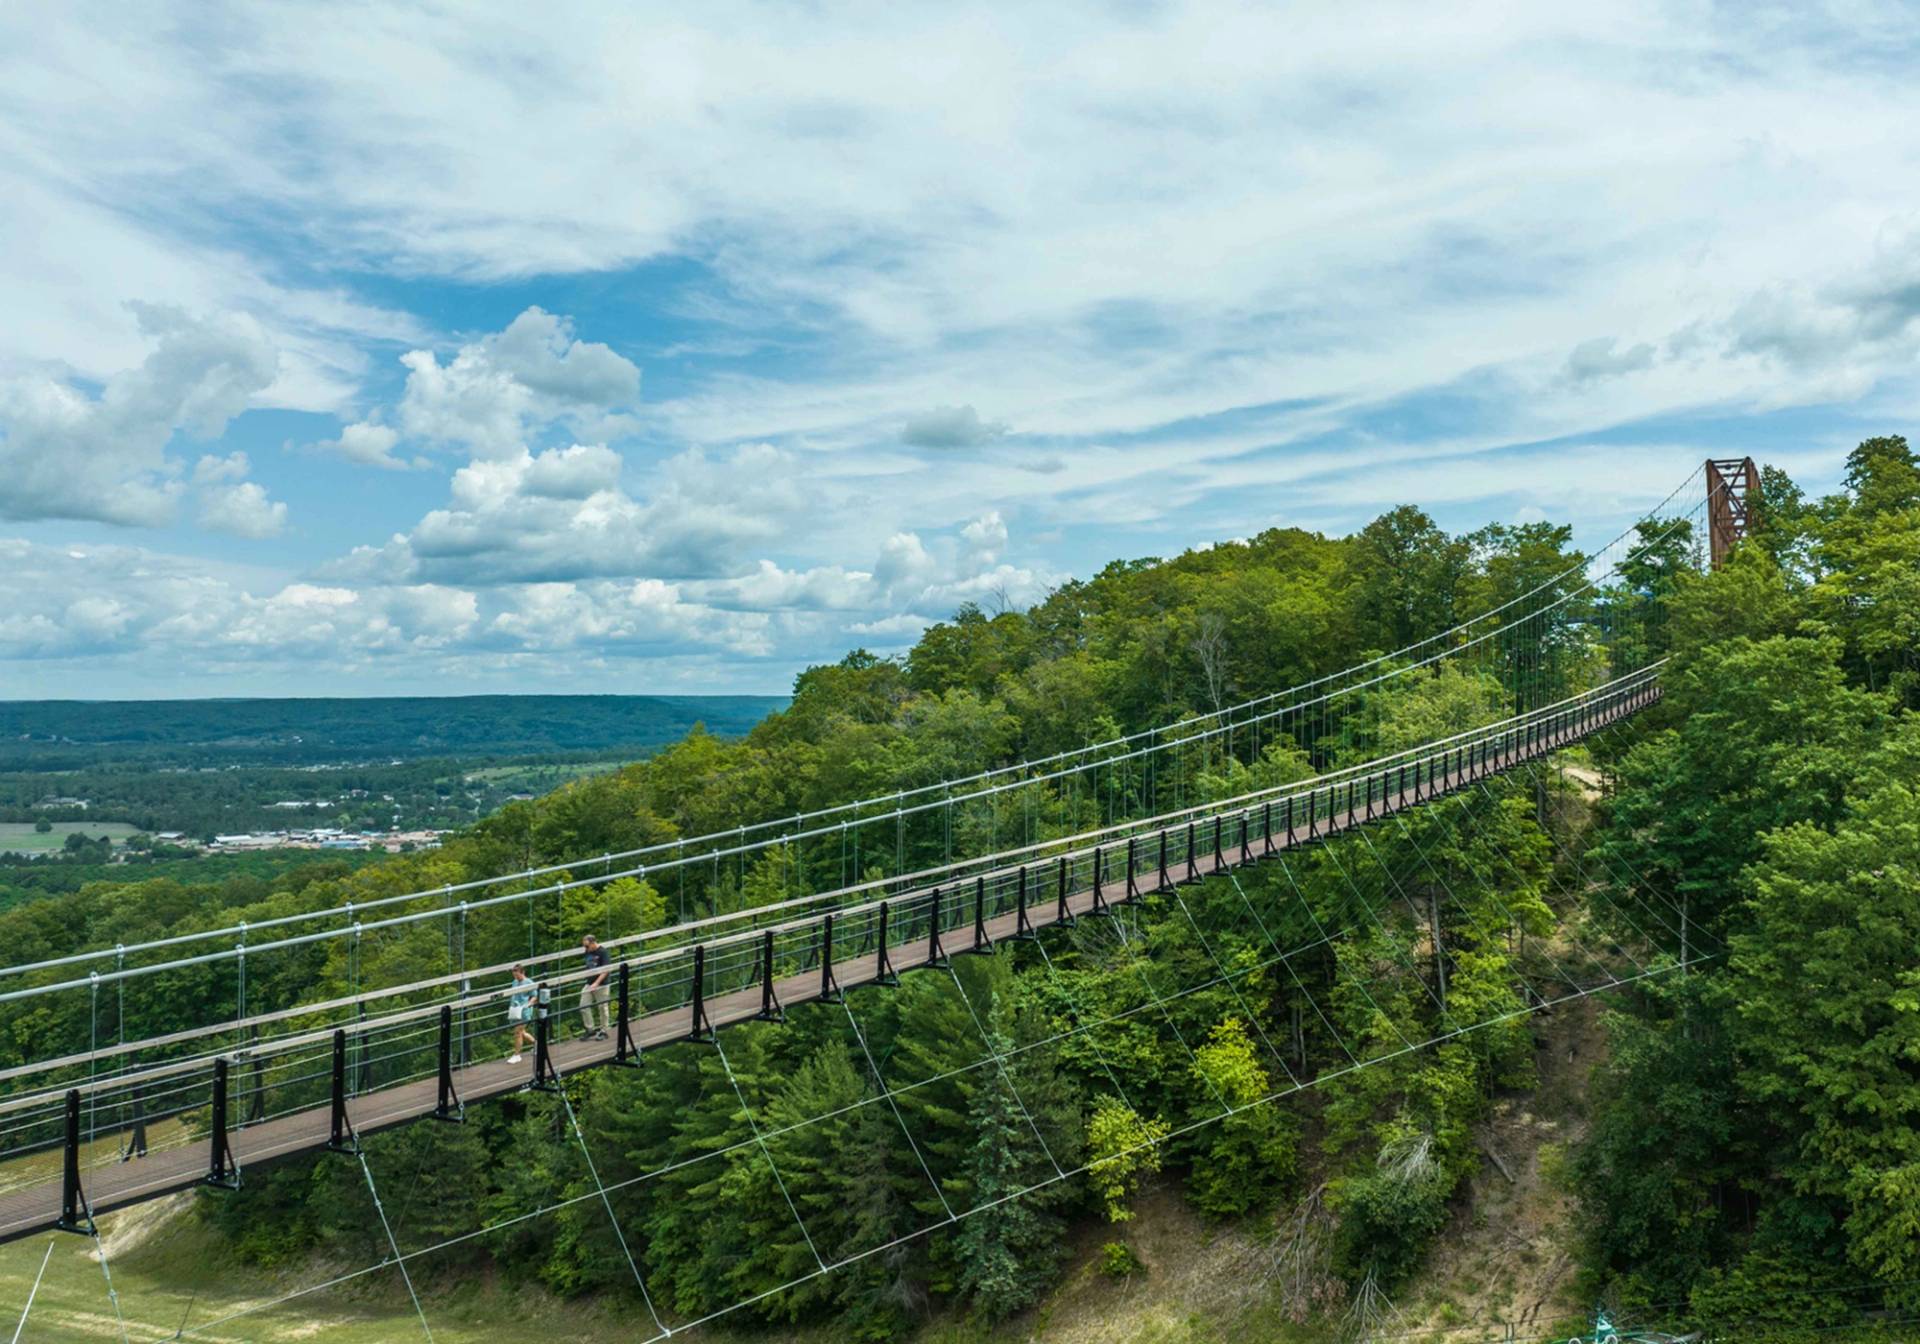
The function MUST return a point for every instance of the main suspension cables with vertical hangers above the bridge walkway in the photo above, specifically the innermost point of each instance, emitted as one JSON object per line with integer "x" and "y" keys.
{"x": 206, "y": 971}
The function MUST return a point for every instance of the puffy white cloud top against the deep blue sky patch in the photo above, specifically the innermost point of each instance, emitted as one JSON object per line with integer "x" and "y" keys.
{"x": 537, "y": 370}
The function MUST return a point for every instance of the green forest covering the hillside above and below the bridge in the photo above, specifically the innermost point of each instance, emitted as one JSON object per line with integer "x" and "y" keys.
{"x": 1744, "y": 859}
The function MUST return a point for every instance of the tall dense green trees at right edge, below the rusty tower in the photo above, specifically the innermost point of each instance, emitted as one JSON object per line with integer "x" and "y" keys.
{"x": 1758, "y": 1145}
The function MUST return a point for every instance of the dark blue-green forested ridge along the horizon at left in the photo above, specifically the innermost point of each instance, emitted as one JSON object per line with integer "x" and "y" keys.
{"x": 41, "y": 734}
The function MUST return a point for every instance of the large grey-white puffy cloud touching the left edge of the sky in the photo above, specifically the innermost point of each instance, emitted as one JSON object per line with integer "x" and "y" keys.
{"x": 72, "y": 454}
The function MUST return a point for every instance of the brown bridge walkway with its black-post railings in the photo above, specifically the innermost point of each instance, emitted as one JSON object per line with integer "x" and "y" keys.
{"x": 300, "y": 1074}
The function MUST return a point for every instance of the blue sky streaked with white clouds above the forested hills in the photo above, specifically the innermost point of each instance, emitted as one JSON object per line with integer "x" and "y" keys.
{"x": 370, "y": 350}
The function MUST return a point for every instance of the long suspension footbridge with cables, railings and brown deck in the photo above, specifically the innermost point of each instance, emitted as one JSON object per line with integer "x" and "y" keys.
{"x": 147, "y": 1113}
